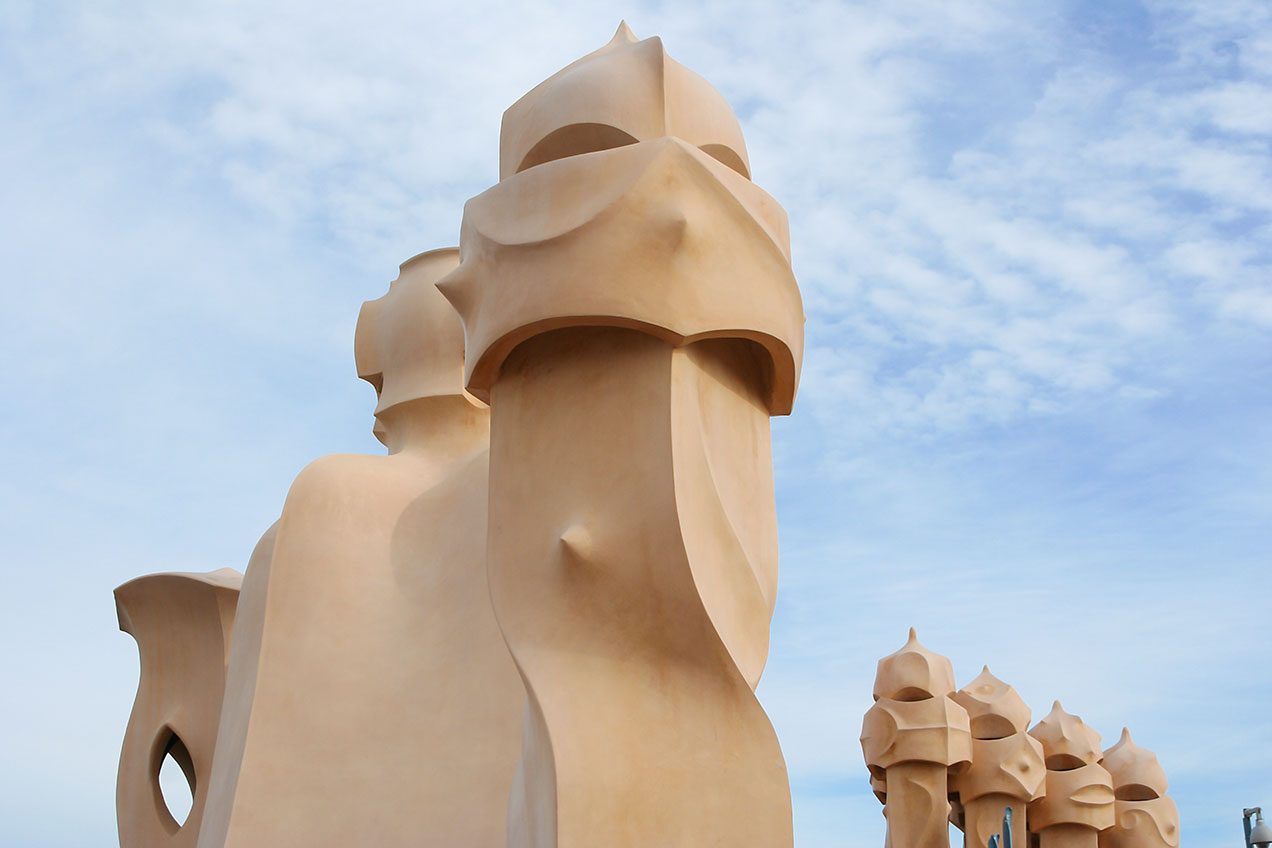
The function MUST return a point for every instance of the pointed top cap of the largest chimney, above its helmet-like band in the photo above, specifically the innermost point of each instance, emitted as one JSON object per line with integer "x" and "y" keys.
{"x": 626, "y": 92}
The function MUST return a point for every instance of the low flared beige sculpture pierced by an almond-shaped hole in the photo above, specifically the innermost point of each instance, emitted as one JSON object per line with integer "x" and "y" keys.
{"x": 183, "y": 624}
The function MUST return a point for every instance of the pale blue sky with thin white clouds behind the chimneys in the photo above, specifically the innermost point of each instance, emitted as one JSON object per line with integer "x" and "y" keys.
{"x": 1035, "y": 243}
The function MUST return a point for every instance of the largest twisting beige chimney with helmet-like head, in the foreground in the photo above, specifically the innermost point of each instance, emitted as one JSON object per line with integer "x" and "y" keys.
{"x": 632, "y": 316}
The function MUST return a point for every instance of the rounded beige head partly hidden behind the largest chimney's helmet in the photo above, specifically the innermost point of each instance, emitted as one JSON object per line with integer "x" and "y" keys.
{"x": 410, "y": 344}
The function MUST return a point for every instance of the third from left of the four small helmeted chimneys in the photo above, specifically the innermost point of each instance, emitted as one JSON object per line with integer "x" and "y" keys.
{"x": 1079, "y": 798}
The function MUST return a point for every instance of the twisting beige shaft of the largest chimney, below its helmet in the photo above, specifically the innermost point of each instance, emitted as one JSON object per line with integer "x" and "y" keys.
{"x": 637, "y": 592}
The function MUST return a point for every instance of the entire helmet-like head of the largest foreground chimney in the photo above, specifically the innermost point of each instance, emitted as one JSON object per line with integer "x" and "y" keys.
{"x": 625, "y": 200}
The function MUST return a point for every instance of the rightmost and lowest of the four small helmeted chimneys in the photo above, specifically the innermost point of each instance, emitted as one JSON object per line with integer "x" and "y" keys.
{"x": 1145, "y": 818}
